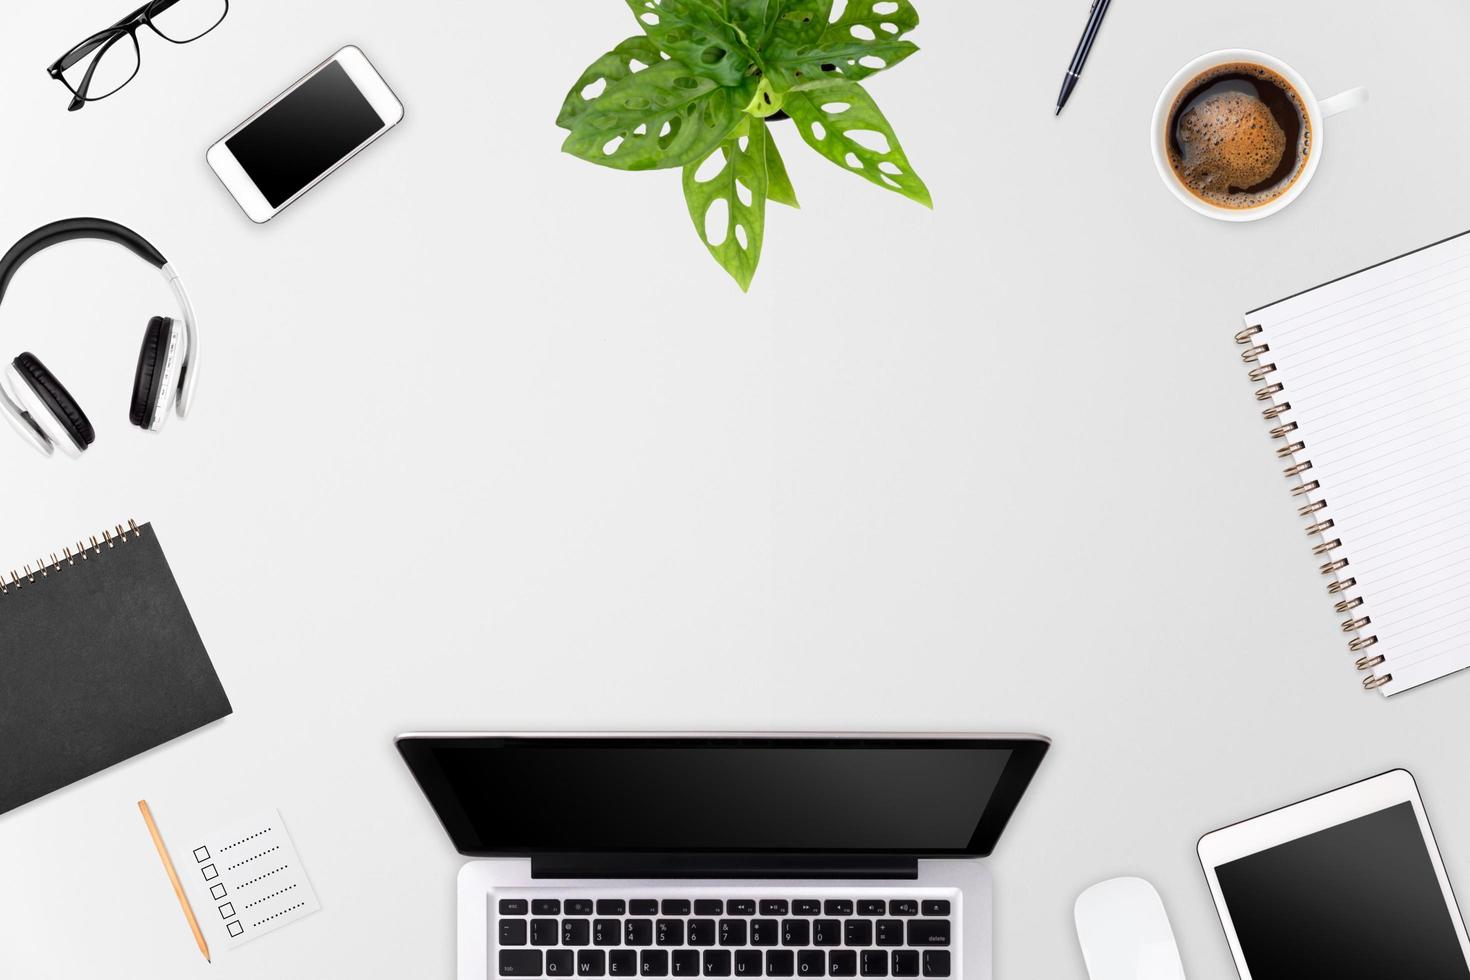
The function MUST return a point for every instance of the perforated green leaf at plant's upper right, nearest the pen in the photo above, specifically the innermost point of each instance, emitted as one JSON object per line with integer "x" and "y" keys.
{"x": 867, "y": 39}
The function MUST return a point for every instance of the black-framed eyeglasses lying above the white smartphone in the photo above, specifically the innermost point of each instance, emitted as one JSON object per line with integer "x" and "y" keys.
{"x": 110, "y": 60}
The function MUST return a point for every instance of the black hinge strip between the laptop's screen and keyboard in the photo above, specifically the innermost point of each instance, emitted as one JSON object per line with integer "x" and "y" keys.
{"x": 721, "y": 866}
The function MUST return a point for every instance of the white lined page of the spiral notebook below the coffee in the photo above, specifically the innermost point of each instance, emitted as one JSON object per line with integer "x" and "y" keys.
{"x": 1377, "y": 371}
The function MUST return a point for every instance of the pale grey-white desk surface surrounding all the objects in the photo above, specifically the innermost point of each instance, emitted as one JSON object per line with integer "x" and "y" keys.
{"x": 486, "y": 442}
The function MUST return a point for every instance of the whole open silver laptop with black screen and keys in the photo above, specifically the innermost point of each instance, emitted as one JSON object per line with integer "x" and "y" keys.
{"x": 724, "y": 856}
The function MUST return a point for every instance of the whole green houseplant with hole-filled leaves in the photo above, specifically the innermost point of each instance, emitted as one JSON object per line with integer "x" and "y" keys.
{"x": 698, "y": 87}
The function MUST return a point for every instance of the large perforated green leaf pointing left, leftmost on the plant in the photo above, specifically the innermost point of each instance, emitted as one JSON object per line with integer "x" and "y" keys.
{"x": 659, "y": 118}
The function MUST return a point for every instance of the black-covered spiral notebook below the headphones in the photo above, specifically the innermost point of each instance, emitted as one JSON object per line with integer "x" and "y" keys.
{"x": 99, "y": 662}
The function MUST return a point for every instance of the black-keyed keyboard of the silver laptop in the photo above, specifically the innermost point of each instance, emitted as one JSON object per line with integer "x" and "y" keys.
{"x": 861, "y": 937}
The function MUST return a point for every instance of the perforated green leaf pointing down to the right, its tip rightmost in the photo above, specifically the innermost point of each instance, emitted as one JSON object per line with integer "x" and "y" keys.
{"x": 842, "y": 121}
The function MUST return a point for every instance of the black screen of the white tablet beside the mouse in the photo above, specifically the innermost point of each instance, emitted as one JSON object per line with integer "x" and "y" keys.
{"x": 1359, "y": 901}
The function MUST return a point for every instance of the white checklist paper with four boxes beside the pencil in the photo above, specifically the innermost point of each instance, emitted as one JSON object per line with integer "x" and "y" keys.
{"x": 246, "y": 881}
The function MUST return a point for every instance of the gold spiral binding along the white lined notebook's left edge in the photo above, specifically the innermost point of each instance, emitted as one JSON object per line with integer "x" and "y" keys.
{"x": 1291, "y": 449}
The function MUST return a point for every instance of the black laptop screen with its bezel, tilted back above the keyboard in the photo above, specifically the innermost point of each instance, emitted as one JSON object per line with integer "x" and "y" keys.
{"x": 527, "y": 796}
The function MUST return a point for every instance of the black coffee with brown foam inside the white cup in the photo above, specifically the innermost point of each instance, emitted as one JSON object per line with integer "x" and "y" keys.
{"x": 1238, "y": 136}
